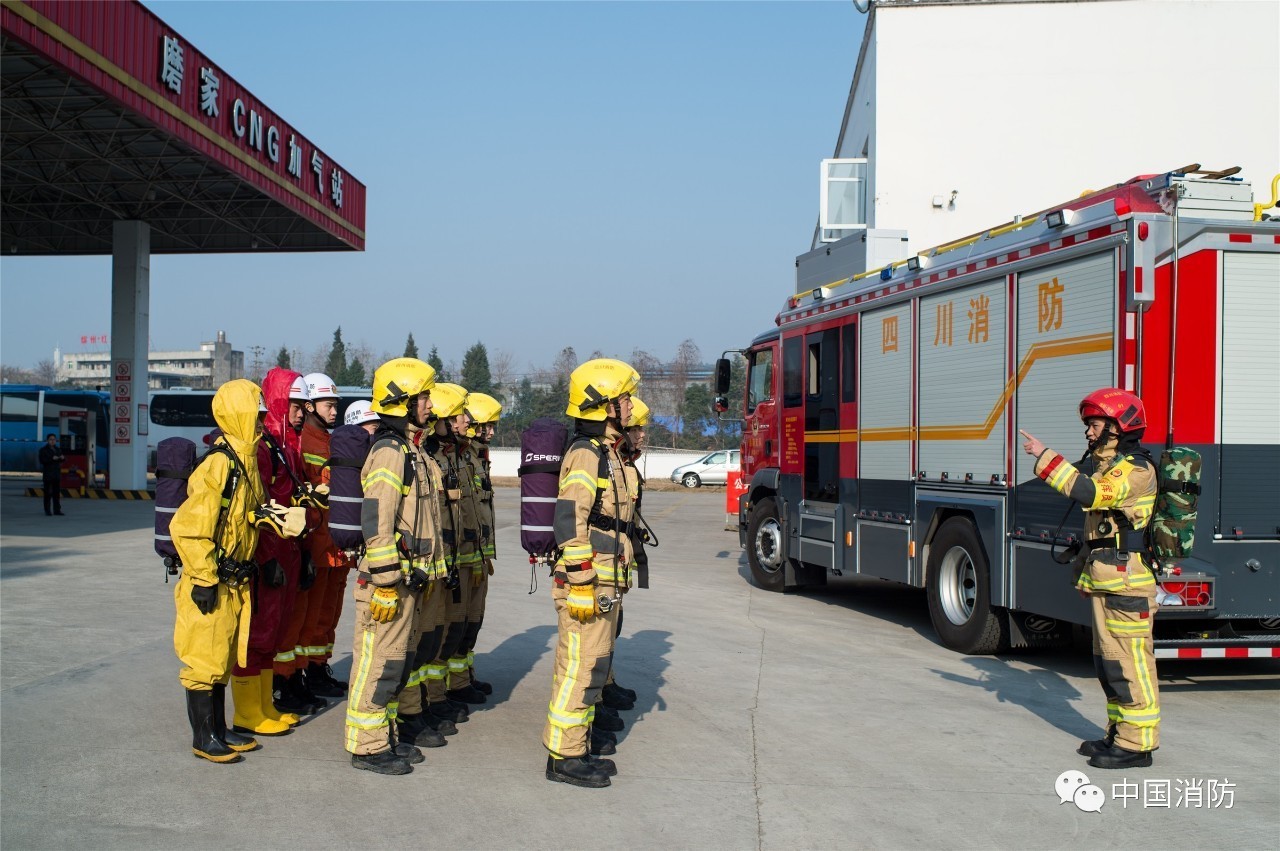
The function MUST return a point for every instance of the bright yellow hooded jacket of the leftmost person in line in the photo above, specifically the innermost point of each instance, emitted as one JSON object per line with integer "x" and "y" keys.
{"x": 195, "y": 525}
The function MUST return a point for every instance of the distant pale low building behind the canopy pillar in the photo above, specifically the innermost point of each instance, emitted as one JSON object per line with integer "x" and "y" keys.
{"x": 204, "y": 369}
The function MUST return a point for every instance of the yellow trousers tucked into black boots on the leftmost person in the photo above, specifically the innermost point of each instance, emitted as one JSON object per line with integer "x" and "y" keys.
{"x": 208, "y": 646}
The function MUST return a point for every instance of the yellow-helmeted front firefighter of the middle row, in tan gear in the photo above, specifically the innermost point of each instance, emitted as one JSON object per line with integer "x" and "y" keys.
{"x": 403, "y": 552}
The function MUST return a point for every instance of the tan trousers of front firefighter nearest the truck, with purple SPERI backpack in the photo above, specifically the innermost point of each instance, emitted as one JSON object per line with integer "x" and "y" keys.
{"x": 583, "y": 655}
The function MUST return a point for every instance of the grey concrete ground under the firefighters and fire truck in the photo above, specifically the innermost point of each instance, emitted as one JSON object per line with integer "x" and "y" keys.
{"x": 765, "y": 721}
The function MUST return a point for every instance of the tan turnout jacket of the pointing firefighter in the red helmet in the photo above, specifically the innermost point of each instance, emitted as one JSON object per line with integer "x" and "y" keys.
{"x": 1122, "y": 493}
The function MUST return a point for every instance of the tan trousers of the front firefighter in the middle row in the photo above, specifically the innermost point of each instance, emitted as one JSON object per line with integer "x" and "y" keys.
{"x": 380, "y": 670}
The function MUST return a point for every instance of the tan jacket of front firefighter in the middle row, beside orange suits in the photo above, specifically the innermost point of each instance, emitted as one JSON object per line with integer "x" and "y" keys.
{"x": 401, "y": 514}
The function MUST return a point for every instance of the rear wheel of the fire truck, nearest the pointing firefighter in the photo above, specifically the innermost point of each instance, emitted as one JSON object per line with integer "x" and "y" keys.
{"x": 959, "y": 592}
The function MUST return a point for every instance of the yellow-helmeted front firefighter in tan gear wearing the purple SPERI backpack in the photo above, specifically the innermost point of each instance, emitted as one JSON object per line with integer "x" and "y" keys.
{"x": 593, "y": 523}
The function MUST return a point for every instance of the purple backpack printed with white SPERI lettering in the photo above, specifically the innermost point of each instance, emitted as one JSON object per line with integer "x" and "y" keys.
{"x": 542, "y": 450}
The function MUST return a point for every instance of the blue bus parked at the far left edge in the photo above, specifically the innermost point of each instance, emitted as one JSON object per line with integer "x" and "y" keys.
{"x": 30, "y": 413}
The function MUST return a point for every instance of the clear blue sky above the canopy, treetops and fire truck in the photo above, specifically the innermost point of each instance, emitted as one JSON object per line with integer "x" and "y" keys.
{"x": 605, "y": 176}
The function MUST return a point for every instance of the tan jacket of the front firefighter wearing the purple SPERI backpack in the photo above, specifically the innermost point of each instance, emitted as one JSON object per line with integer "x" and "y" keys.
{"x": 588, "y": 506}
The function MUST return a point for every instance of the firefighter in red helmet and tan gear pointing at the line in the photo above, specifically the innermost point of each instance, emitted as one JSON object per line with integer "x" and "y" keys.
{"x": 1118, "y": 501}
